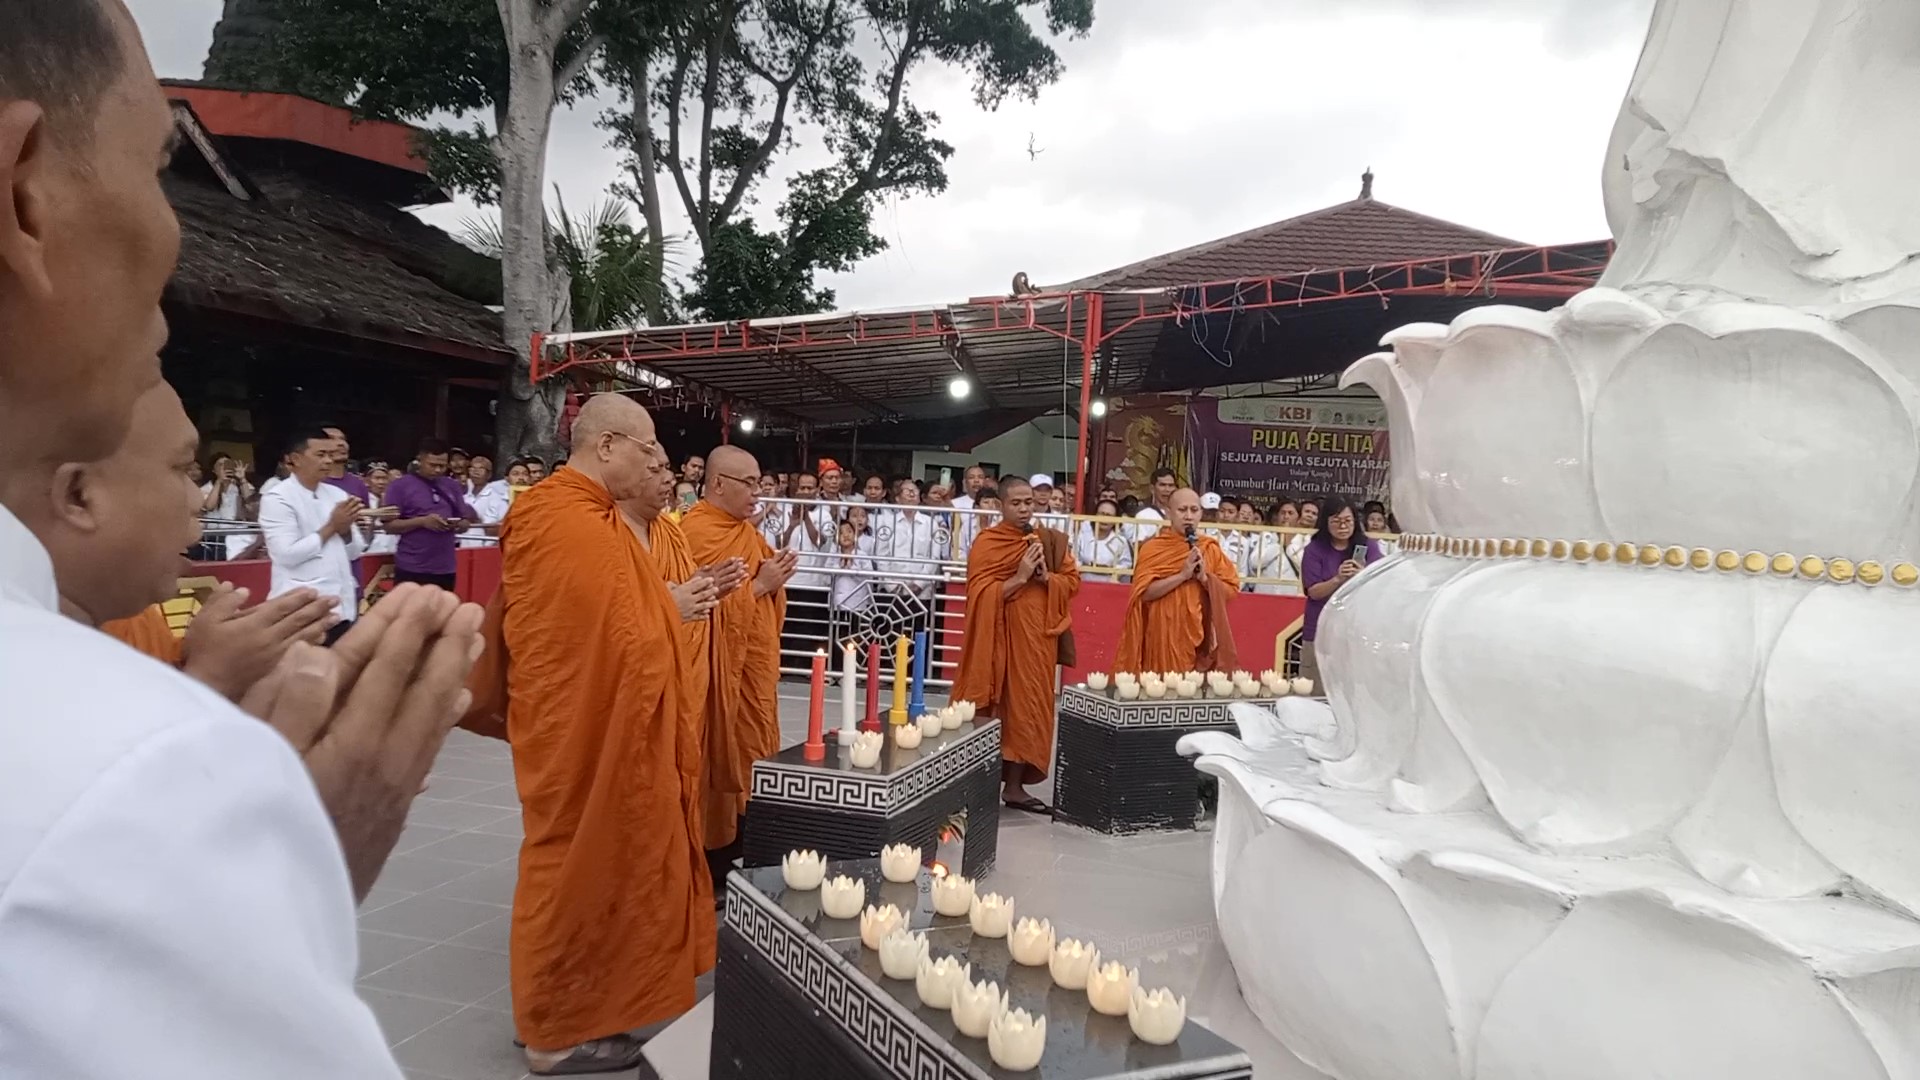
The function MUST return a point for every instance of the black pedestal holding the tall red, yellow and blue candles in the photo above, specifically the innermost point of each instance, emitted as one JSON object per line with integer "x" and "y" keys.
{"x": 909, "y": 798}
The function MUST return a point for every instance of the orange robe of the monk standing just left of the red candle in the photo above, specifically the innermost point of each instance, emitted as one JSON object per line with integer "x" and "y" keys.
{"x": 744, "y": 700}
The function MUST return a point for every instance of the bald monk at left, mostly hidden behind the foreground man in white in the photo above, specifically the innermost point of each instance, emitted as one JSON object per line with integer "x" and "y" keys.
{"x": 118, "y": 554}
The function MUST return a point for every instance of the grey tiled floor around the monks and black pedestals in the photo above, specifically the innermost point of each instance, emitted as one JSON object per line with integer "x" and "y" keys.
{"x": 435, "y": 929}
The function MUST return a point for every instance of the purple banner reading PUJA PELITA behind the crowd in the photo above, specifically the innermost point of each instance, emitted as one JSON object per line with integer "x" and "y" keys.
{"x": 1289, "y": 447}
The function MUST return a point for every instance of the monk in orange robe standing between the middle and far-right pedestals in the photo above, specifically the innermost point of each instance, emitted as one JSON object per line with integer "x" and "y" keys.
{"x": 1020, "y": 585}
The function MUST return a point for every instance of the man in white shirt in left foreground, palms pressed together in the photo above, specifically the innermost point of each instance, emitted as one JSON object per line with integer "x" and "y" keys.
{"x": 176, "y": 883}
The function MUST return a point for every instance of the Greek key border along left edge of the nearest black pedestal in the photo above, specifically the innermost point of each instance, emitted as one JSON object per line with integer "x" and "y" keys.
{"x": 884, "y": 1029}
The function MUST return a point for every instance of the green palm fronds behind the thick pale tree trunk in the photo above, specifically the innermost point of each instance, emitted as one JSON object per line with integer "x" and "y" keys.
{"x": 613, "y": 270}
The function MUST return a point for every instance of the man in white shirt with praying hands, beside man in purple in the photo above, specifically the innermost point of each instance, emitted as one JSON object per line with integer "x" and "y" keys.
{"x": 312, "y": 531}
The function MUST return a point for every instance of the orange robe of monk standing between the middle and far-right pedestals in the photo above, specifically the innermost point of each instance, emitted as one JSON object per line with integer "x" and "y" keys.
{"x": 1007, "y": 660}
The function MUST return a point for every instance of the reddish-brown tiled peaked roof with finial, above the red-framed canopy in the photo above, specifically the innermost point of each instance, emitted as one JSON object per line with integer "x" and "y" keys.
{"x": 1349, "y": 235}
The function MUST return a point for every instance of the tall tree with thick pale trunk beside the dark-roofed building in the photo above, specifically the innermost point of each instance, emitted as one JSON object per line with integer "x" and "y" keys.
{"x": 510, "y": 61}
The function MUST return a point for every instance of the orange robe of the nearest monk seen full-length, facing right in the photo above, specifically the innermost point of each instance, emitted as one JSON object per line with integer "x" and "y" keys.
{"x": 613, "y": 918}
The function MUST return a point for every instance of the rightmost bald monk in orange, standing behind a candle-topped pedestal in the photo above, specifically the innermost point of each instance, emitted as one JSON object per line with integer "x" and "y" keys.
{"x": 1182, "y": 589}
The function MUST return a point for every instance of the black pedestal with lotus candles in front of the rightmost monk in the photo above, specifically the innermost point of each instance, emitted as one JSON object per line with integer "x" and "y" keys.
{"x": 1116, "y": 770}
